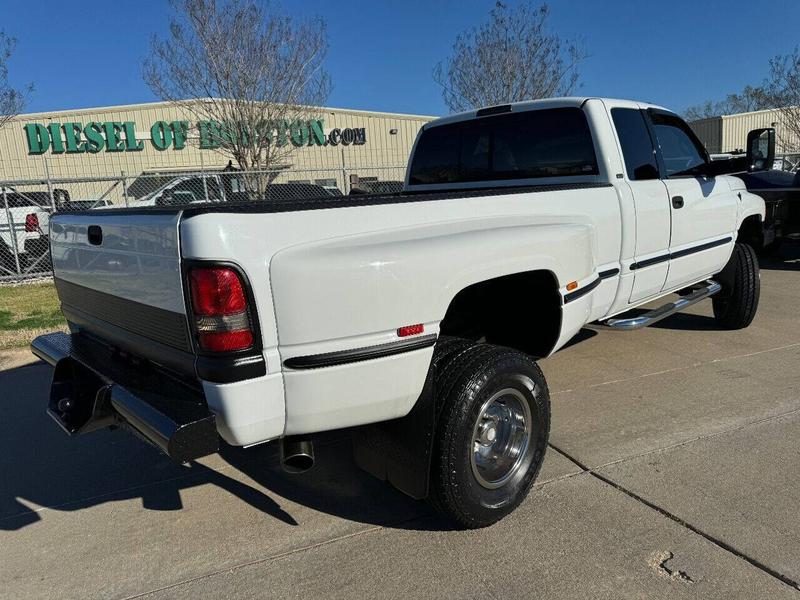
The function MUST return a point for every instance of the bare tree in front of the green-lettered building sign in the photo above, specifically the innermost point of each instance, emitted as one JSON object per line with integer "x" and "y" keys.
{"x": 250, "y": 76}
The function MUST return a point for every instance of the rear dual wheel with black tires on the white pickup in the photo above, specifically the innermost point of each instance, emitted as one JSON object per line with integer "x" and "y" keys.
{"x": 473, "y": 379}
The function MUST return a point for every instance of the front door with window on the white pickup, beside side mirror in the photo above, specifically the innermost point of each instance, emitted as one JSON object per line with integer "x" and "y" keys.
{"x": 703, "y": 209}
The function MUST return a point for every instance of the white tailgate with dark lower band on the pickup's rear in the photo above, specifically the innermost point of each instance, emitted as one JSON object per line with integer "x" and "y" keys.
{"x": 119, "y": 274}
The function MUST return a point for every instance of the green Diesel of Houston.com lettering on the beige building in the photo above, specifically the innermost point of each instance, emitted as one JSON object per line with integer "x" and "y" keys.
{"x": 120, "y": 136}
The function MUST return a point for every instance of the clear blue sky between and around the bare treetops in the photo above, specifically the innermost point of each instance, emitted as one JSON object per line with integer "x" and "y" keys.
{"x": 675, "y": 53}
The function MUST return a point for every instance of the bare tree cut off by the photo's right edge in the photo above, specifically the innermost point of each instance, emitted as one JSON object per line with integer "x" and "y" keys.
{"x": 783, "y": 85}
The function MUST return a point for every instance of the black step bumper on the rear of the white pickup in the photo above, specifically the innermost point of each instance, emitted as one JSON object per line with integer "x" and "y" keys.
{"x": 92, "y": 389}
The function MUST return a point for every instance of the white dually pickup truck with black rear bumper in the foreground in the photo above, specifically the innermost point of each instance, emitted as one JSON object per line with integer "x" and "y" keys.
{"x": 417, "y": 316}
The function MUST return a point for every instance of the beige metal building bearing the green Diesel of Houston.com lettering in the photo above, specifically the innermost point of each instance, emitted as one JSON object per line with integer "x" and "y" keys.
{"x": 140, "y": 138}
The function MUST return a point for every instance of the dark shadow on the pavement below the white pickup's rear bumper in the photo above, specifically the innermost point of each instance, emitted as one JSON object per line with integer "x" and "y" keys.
{"x": 43, "y": 467}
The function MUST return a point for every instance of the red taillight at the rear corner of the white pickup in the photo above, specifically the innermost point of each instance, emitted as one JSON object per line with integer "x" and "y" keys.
{"x": 220, "y": 310}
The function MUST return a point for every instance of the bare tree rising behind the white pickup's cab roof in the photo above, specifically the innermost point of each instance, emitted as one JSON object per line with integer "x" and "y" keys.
{"x": 514, "y": 56}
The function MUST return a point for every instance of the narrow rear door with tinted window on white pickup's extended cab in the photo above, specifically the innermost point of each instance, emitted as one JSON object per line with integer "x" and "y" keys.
{"x": 651, "y": 254}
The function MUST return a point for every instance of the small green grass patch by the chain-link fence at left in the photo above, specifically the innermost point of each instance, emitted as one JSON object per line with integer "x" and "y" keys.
{"x": 27, "y": 311}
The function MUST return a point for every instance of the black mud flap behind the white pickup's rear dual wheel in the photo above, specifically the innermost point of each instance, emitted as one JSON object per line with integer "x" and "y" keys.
{"x": 399, "y": 451}
